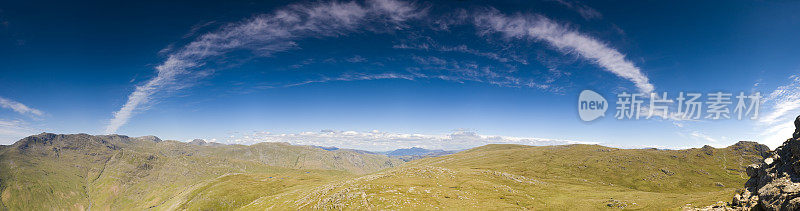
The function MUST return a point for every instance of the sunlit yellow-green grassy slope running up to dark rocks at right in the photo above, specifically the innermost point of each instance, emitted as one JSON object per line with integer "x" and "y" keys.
{"x": 552, "y": 177}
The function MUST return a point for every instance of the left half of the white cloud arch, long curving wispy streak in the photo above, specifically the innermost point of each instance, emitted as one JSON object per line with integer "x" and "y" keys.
{"x": 265, "y": 35}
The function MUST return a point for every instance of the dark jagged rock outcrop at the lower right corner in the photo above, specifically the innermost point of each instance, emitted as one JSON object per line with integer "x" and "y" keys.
{"x": 775, "y": 183}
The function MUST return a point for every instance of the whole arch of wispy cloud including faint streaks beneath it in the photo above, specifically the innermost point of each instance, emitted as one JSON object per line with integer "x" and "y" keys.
{"x": 280, "y": 30}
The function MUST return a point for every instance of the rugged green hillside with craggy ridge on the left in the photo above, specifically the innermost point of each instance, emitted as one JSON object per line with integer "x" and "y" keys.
{"x": 49, "y": 171}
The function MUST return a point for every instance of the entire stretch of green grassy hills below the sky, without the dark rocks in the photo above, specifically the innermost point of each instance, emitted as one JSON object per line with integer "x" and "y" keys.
{"x": 51, "y": 171}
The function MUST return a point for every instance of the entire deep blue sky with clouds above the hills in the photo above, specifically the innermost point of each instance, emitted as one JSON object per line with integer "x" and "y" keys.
{"x": 385, "y": 74}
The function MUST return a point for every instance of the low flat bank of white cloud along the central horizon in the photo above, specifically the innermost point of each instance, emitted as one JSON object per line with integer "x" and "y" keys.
{"x": 382, "y": 141}
